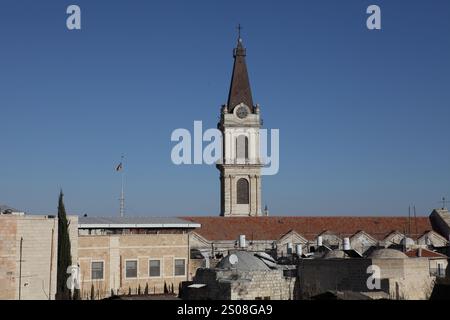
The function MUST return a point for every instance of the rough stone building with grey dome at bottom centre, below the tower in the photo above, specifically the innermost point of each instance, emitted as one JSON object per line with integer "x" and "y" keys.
{"x": 242, "y": 275}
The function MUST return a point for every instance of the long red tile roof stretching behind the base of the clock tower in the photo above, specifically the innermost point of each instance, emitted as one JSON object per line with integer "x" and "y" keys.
{"x": 272, "y": 228}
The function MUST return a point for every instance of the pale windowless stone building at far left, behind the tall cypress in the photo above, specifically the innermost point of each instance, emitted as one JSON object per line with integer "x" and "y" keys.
{"x": 28, "y": 255}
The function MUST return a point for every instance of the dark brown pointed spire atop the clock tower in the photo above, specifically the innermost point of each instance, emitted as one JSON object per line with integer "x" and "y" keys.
{"x": 240, "y": 91}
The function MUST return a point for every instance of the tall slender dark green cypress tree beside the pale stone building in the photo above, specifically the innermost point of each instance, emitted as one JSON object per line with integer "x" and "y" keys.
{"x": 64, "y": 256}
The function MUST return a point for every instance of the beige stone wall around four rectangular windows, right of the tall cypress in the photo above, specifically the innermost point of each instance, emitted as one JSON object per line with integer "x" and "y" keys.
{"x": 115, "y": 250}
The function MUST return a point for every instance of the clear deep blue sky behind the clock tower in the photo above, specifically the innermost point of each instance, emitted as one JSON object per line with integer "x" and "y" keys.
{"x": 363, "y": 115}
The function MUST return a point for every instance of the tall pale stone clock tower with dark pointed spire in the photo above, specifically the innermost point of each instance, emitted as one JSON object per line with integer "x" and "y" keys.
{"x": 240, "y": 169}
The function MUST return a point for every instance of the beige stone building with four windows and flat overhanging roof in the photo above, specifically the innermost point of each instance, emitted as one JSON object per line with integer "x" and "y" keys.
{"x": 120, "y": 255}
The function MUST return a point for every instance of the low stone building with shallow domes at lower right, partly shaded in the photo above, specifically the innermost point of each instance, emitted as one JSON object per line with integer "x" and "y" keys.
{"x": 400, "y": 277}
